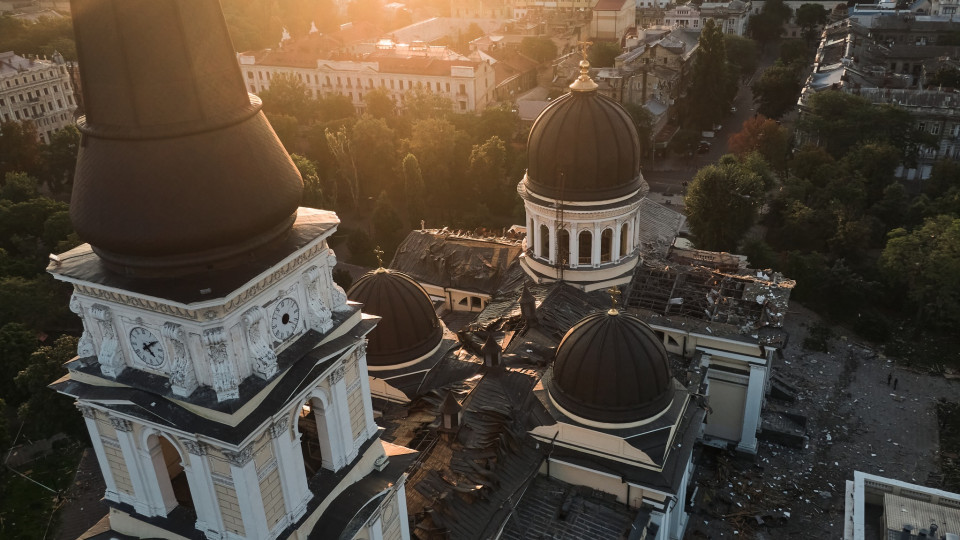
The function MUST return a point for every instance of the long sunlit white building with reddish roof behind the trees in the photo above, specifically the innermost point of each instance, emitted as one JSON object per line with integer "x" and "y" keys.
{"x": 396, "y": 68}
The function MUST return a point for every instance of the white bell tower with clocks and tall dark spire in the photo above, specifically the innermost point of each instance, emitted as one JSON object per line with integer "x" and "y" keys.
{"x": 222, "y": 374}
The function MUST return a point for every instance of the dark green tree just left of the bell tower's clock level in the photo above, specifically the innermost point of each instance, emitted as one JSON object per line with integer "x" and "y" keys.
{"x": 45, "y": 413}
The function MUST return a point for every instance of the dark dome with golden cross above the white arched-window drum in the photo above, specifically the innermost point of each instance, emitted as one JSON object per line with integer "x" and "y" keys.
{"x": 583, "y": 147}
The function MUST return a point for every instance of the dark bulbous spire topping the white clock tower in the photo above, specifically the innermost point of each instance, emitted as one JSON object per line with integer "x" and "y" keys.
{"x": 178, "y": 169}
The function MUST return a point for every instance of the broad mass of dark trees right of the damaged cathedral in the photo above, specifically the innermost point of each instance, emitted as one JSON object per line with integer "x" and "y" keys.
{"x": 864, "y": 249}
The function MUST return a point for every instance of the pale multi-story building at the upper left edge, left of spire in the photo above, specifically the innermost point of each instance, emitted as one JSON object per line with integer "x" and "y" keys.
{"x": 36, "y": 90}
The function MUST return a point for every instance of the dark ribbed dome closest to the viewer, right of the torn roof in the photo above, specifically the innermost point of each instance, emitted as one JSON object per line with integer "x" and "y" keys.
{"x": 611, "y": 368}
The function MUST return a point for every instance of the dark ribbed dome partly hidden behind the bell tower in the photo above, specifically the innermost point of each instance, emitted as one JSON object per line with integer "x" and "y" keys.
{"x": 409, "y": 327}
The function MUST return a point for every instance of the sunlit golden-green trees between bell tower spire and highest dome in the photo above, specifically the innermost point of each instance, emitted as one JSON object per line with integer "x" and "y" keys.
{"x": 421, "y": 162}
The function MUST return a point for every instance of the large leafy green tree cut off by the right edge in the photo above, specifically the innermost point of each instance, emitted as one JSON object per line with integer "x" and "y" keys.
{"x": 926, "y": 262}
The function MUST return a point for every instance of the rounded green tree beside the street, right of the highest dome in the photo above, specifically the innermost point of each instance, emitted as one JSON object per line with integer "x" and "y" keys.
{"x": 728, "y": 186}
